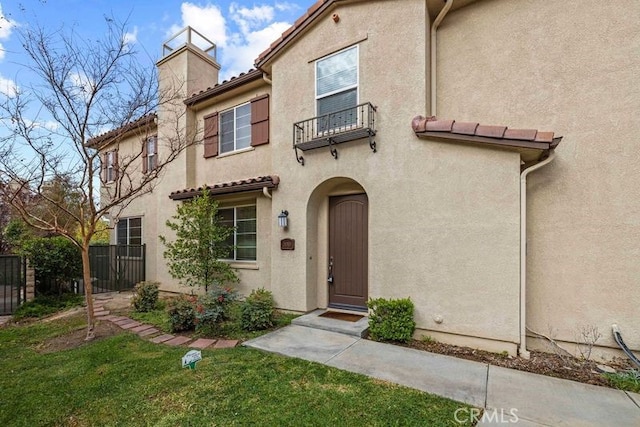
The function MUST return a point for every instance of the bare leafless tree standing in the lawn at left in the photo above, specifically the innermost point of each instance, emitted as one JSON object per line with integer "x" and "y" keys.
{"x": 89, "y": 95}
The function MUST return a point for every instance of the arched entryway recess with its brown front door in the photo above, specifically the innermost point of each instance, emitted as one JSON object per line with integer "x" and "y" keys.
{"x": 338, "y": 215}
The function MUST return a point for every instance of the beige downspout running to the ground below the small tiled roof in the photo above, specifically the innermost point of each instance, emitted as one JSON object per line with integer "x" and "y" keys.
{"x": 522, "y": 351}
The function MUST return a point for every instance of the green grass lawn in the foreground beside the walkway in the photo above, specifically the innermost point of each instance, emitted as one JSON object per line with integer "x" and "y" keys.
{"x": 125, "y": 380}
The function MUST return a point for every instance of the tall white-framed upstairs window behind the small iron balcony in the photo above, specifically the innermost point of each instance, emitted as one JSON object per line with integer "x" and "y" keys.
{"x": 337, "y": 89}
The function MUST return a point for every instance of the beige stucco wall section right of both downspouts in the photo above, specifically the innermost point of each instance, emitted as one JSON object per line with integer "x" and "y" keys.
{"x": 571, "y": 67}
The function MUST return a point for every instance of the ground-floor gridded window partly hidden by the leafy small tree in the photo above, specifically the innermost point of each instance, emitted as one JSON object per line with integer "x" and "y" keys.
{"x": 244, "y": 239}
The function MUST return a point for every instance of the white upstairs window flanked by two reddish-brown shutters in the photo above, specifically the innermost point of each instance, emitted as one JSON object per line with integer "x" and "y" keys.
{"x": 246, "y": 125}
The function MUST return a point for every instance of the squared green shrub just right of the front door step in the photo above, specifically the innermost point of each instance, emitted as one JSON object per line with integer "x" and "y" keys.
{"x": 391, "y": 319}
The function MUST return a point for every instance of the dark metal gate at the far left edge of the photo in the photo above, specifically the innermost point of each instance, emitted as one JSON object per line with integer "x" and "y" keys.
{"x": 13, "y": 285}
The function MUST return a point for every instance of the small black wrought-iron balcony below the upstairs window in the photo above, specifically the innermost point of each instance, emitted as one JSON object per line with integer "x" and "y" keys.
{"x": 335, "y": 128}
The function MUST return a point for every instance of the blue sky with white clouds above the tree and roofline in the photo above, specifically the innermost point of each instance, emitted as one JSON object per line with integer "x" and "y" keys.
{"x": 240, "y": 29}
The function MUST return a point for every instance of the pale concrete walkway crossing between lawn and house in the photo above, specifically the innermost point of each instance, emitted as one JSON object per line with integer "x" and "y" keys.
{"x": 506, "y": 394}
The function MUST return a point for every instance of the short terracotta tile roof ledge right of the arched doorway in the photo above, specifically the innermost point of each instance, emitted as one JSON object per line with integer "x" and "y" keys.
{"x": 475, "y": 132}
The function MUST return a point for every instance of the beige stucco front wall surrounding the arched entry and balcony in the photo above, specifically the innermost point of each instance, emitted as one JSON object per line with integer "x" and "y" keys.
{"x": 443, "y": 218}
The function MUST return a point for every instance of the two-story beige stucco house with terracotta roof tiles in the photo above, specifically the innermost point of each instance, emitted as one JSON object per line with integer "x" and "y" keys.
{"x": 477, "y": 156}
